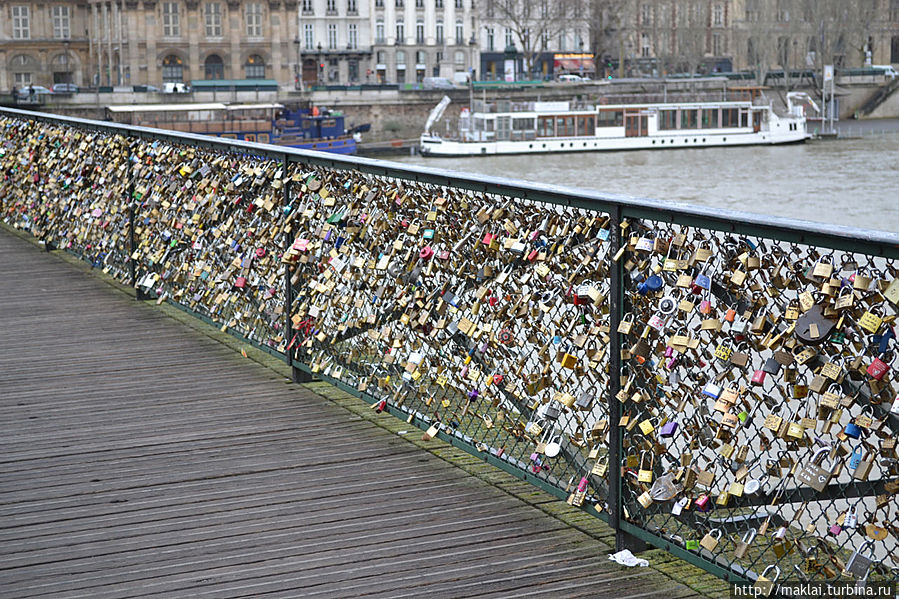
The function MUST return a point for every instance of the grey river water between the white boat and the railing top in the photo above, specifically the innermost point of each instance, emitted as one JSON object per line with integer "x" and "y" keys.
{"x": 851, "y": 181}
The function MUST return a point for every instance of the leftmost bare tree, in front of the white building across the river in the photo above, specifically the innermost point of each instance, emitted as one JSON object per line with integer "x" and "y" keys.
{"x": 533, "y": 23}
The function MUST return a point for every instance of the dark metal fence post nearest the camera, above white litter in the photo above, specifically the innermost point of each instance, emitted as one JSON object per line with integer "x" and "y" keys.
{"x": 623, "y": 540}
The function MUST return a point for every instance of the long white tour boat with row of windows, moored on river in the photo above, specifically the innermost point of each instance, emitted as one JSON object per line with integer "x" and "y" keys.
{"x": 505, "y": 127}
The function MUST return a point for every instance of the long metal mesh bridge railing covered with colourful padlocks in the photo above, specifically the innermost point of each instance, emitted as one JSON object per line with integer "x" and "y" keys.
{"x": 715, "y": 383}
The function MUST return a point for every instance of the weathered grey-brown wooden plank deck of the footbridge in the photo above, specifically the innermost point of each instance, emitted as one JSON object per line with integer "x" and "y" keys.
{"x": 142, "y": 458}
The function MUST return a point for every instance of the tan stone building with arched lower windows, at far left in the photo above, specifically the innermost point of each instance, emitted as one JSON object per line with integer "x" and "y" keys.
{"x": 130, "y": 42}
